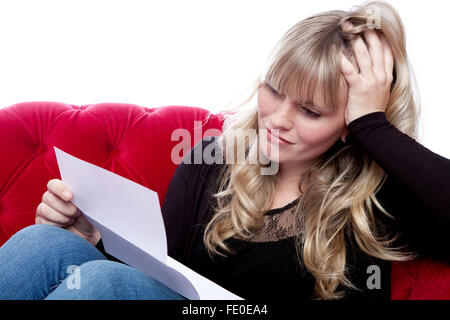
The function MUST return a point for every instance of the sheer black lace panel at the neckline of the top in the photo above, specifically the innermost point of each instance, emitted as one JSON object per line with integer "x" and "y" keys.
{"x": 278, "y": 225}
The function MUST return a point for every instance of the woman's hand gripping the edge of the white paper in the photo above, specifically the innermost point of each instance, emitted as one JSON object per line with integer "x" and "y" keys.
{"x": 57, "y": 209}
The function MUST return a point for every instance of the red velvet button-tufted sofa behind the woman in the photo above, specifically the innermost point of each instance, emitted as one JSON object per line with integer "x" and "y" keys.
{"x": 134, "y": 142}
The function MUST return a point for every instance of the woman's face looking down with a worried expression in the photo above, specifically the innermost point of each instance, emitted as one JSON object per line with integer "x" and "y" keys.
{"x": 309, "y": 129}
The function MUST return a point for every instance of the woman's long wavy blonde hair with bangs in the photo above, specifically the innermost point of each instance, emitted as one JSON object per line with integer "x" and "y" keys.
{"x": 341, "y": 185}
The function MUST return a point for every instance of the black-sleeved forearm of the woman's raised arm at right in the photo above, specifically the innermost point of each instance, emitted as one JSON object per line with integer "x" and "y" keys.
{"x": 423, "y": 173}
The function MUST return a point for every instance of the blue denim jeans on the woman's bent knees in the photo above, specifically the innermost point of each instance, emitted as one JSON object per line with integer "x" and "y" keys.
{"x": 48, "y": 262}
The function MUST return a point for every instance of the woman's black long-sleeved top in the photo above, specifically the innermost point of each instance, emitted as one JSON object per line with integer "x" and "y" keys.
{"x": 416, "y": 193}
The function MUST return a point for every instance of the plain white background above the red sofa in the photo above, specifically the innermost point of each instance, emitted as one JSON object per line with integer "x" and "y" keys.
{"x": 194, "y": 53}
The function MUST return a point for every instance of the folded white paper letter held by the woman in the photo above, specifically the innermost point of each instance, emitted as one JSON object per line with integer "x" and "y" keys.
{"x": 130, "y": 221}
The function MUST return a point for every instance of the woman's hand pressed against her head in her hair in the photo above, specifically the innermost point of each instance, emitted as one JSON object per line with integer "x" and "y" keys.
{"x": 369, "y": 88}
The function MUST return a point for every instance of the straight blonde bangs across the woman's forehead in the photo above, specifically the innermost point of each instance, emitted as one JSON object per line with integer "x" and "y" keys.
{"x": 299, "y": 74}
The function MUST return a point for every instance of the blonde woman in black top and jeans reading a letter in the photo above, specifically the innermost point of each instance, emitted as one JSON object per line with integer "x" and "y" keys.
{"x": 353, "y": 190}
